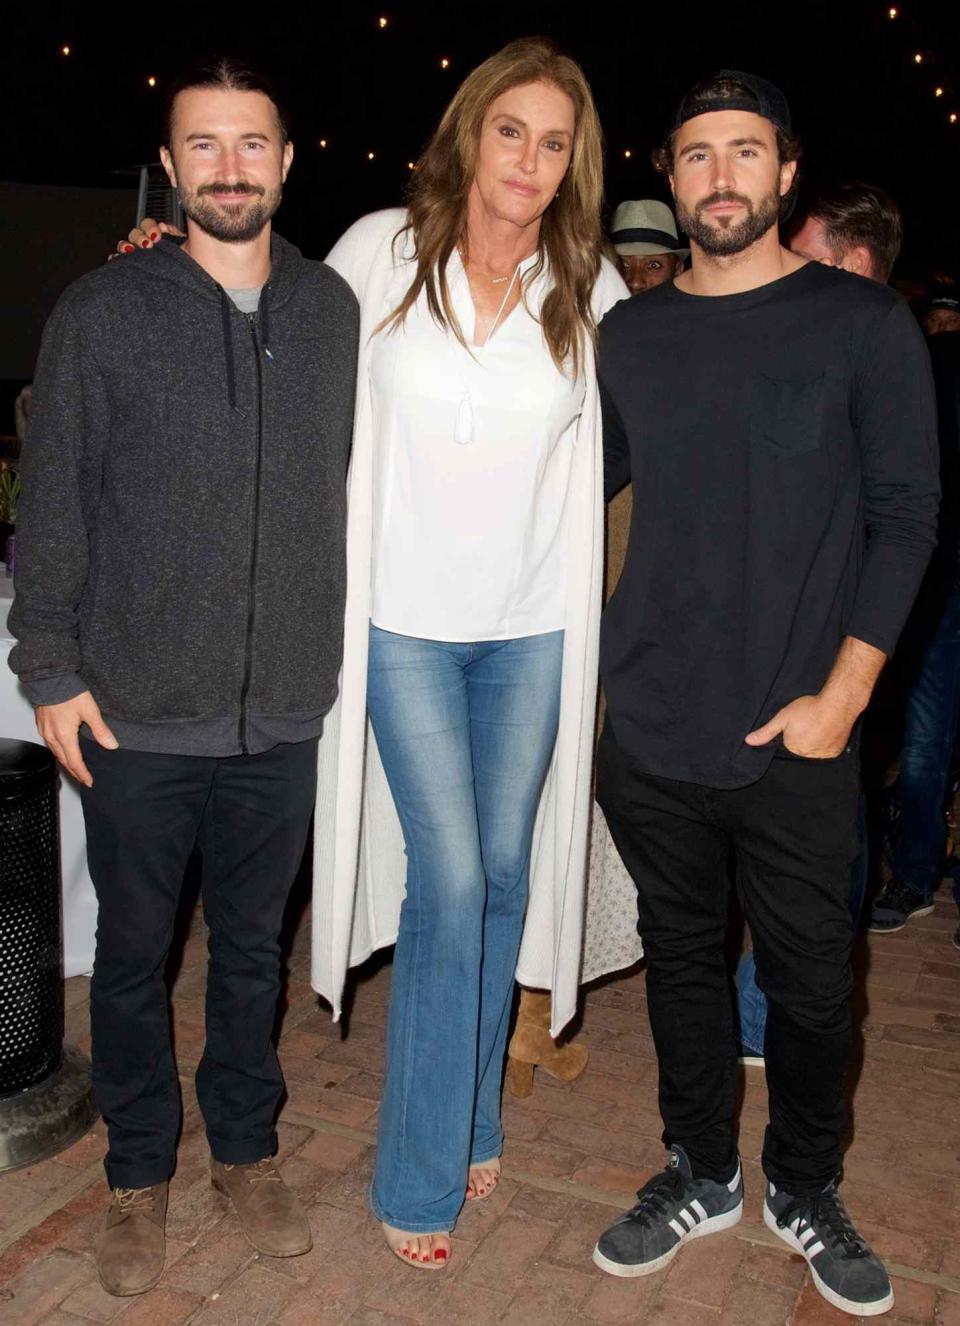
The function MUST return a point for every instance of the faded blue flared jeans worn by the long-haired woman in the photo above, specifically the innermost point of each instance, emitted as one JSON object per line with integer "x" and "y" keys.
{"x": 466, "y": 734}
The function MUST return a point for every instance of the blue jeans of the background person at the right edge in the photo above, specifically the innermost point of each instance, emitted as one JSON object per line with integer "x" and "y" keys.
{"x": 930, "y": 731}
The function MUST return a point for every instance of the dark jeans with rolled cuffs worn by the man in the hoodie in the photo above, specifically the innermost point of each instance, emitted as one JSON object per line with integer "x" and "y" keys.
{"x": 145, "y": 814}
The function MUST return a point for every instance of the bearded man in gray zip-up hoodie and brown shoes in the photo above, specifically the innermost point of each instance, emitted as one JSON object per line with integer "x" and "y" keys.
{"x": 180, "y": 600}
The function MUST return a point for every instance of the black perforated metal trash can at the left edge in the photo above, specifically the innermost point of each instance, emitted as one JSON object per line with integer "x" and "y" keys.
{"x": 46, "y": 1099}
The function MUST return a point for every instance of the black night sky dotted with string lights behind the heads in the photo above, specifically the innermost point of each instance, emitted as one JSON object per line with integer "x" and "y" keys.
{"x": 861, "y": 104}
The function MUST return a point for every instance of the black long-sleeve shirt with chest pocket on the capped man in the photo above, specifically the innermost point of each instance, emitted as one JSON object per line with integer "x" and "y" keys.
{"x": 783, "y": 452}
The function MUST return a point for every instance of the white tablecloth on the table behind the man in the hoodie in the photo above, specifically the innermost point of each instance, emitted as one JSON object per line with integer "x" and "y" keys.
{"x": 80, "y": 902}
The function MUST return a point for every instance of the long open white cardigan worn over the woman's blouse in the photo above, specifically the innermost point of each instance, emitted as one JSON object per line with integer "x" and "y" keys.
{"x": 360, "y": 867}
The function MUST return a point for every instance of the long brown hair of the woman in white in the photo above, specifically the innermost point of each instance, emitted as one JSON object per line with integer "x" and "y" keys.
{"x": 571, "y": 227}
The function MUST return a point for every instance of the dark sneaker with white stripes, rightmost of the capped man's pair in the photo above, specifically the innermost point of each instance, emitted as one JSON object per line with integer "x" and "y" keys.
{"x": 844, "y": 1270}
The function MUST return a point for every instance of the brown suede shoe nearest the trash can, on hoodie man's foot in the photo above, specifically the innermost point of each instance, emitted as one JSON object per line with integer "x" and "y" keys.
{"x": 132, "y": 1248}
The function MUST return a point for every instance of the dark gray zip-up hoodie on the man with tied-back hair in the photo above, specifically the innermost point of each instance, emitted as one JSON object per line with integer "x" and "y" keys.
{"x": 181, "y": 538}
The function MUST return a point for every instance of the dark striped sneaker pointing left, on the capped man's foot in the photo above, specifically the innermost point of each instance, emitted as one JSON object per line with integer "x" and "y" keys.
{"x": 673, "y": 1209}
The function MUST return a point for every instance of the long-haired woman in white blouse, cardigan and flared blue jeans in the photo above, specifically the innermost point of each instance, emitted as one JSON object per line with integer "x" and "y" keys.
{"x": 475, "y": 555}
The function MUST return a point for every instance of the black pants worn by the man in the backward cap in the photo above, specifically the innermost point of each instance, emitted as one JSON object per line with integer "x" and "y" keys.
{"x": 794, "y": 837}
